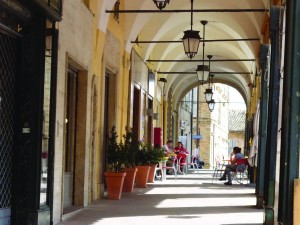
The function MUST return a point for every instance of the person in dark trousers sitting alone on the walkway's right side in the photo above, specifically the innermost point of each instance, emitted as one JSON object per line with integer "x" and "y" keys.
{"x": 233, "y": 166}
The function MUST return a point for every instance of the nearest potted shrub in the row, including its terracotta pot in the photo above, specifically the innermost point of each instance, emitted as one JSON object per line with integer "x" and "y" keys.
{"x": 115, "y": 158}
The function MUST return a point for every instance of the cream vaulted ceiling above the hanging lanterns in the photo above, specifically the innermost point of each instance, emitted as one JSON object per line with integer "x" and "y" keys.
{"x": 167, "y": 26}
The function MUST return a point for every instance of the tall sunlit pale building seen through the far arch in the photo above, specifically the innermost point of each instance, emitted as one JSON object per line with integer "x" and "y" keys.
{"x": 212, "y": 126}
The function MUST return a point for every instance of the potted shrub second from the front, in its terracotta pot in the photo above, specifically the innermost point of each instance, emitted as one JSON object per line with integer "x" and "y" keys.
{"x": 130, "y": 146}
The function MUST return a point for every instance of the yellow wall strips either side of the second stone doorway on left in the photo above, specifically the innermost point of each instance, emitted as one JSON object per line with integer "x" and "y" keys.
{"x": 117, "y": 29}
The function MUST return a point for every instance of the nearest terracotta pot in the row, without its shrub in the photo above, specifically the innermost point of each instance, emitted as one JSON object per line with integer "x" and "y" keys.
{"x": 114, "y": 182}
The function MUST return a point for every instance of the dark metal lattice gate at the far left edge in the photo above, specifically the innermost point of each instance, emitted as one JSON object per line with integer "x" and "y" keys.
{"x": 7, "y": 109}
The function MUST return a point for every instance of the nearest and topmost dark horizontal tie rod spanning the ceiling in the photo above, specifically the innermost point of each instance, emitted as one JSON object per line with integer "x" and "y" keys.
{"x": 186, "y": 11}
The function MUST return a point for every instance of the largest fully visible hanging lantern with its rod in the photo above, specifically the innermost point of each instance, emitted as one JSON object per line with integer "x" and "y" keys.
{"x": 191, "y": 38}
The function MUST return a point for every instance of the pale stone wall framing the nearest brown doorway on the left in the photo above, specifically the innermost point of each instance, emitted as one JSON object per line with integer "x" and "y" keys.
{"x": 75, "y": 39}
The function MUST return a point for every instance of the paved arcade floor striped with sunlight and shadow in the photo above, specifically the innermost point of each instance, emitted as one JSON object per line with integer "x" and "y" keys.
{"x": 192, "y": 199}
